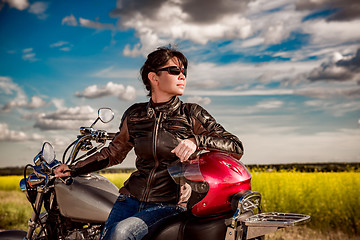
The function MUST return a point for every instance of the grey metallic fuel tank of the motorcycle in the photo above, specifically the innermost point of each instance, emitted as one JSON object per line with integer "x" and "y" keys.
{"x": 89, "y": 198}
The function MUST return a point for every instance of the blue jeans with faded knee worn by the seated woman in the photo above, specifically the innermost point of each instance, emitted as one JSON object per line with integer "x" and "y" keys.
{"x": 132, "y": 219}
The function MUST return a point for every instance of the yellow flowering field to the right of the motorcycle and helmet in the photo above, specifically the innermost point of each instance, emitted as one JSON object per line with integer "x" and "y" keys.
{"x": 331, "y": 199}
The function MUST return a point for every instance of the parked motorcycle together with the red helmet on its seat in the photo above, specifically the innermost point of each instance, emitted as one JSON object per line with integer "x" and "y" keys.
{"x": 221, "y": 206}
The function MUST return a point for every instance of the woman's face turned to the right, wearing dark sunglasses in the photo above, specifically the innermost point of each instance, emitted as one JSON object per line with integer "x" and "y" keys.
{"x": 169, "y": 85}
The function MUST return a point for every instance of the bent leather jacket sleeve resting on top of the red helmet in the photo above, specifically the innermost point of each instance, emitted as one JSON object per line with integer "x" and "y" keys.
{"x": 211, "y": 136}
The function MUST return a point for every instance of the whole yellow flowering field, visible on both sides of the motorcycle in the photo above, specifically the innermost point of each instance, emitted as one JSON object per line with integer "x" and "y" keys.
{"x": 331, "y": 199}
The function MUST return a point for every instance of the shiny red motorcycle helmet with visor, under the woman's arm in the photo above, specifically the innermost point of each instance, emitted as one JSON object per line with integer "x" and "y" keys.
{"x": 214, "y": 178}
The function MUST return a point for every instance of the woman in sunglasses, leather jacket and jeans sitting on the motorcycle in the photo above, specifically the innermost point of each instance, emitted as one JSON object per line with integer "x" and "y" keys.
{"x": 161, "y": 131}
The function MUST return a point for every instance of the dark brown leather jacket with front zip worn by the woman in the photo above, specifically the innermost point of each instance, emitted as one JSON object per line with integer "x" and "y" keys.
{"x": 154, "y": 132}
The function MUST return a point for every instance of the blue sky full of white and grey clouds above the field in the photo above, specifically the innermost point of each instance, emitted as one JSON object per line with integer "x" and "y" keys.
{"x": 284, "y": 76}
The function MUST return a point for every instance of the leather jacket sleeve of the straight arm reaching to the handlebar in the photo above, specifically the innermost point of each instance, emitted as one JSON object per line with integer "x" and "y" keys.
{"x": 115, "y": 153}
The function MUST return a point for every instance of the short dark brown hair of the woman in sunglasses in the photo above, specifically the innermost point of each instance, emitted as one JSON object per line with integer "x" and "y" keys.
{"x": 156, "y": 60}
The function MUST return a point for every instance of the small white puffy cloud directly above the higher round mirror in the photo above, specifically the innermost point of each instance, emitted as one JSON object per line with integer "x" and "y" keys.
{"x": 127, "y": 93}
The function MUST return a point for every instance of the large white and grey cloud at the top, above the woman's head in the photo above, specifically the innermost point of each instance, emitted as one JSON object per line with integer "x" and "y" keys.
{"x": 267, "y": 22}
